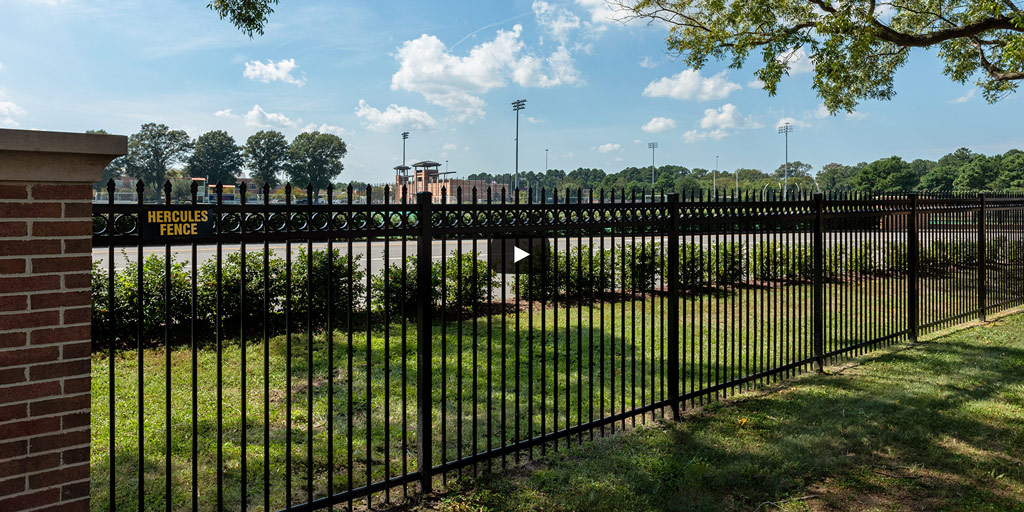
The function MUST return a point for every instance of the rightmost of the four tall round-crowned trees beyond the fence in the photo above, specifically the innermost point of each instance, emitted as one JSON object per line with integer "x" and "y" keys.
{"x": 315, "y": 159}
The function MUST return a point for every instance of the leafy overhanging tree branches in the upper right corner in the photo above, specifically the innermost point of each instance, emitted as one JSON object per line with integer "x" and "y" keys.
{"x": 856, "y": 47}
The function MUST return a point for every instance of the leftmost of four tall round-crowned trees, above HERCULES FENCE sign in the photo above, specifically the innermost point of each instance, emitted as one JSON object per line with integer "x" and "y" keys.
{"x": 153, "y": 151}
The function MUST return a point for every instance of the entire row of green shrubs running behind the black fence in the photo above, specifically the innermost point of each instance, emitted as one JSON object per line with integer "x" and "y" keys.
{"x": 462, "y": 284}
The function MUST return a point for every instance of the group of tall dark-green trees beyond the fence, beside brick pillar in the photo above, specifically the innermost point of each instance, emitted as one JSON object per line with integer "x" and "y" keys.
{"x": 157, "y": 153}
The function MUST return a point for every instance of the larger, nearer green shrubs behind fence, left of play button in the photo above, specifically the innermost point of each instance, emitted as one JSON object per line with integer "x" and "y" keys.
{"x": 273, "y": 301}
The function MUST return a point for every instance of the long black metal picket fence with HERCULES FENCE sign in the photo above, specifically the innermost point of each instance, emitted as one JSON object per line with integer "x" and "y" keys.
{"x": 298, "y": 357}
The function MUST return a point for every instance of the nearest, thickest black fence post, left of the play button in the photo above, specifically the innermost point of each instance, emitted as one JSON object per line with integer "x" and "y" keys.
{"x": 424, "y": 349}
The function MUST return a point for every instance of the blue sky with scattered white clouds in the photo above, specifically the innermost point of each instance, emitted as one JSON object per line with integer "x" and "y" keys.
{"x": 598, "y": 91}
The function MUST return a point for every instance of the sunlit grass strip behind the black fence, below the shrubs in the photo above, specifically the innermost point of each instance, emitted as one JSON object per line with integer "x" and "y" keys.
{"x": 482, "y": 386}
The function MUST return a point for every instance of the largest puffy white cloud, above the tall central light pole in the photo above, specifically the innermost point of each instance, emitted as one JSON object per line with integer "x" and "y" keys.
{"x": 456, "y": 83}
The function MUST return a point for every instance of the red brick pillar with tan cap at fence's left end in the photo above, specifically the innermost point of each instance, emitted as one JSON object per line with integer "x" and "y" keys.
{"x": 46, "y": 261}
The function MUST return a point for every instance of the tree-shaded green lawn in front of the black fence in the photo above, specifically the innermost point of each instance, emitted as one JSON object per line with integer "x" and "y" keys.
{"x": 937, "y": 425}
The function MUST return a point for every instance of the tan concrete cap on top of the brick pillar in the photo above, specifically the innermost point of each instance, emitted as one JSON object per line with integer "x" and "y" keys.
{"x": 57, "y": 157}
